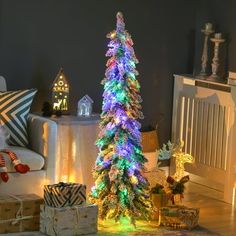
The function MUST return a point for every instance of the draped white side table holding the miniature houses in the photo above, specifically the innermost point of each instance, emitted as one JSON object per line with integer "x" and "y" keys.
{"x": 76, "y": 151}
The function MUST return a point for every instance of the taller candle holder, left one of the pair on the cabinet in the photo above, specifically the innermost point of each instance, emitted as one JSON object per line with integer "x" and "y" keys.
{"x": 207, "y": 32}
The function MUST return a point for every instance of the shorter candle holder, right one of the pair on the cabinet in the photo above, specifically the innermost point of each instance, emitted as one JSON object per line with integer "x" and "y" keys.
{"x": 217, "y": 40}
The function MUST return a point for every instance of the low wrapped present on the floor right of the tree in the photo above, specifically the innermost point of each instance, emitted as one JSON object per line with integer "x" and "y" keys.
{"x": 180, "y": 217}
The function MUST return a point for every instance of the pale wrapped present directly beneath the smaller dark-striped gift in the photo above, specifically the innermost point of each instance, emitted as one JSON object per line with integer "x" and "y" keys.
{"x": 68, "y": 221}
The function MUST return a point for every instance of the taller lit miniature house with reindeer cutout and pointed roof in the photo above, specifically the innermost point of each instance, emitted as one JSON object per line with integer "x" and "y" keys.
{"x": 60, "y": 92}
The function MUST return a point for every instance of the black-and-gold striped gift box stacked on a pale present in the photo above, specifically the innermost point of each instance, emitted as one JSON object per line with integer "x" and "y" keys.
{"x": 64, "y": 194}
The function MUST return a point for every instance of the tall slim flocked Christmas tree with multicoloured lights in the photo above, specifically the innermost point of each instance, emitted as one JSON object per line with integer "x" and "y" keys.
{"x": 120, "y": 187}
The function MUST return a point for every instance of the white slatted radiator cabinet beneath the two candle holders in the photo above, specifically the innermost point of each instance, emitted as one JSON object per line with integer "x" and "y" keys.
{"x": 204, "y": 118}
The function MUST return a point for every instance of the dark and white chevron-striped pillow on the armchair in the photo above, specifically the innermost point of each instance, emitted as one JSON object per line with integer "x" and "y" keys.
{"x": 14, "y": 111}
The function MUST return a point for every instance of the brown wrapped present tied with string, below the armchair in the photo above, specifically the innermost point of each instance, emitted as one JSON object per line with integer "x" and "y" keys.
{"x": 19, "y": 213}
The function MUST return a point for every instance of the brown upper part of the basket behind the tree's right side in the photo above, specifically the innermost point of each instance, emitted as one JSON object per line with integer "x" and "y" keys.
{"x": 150, "y": 142}
